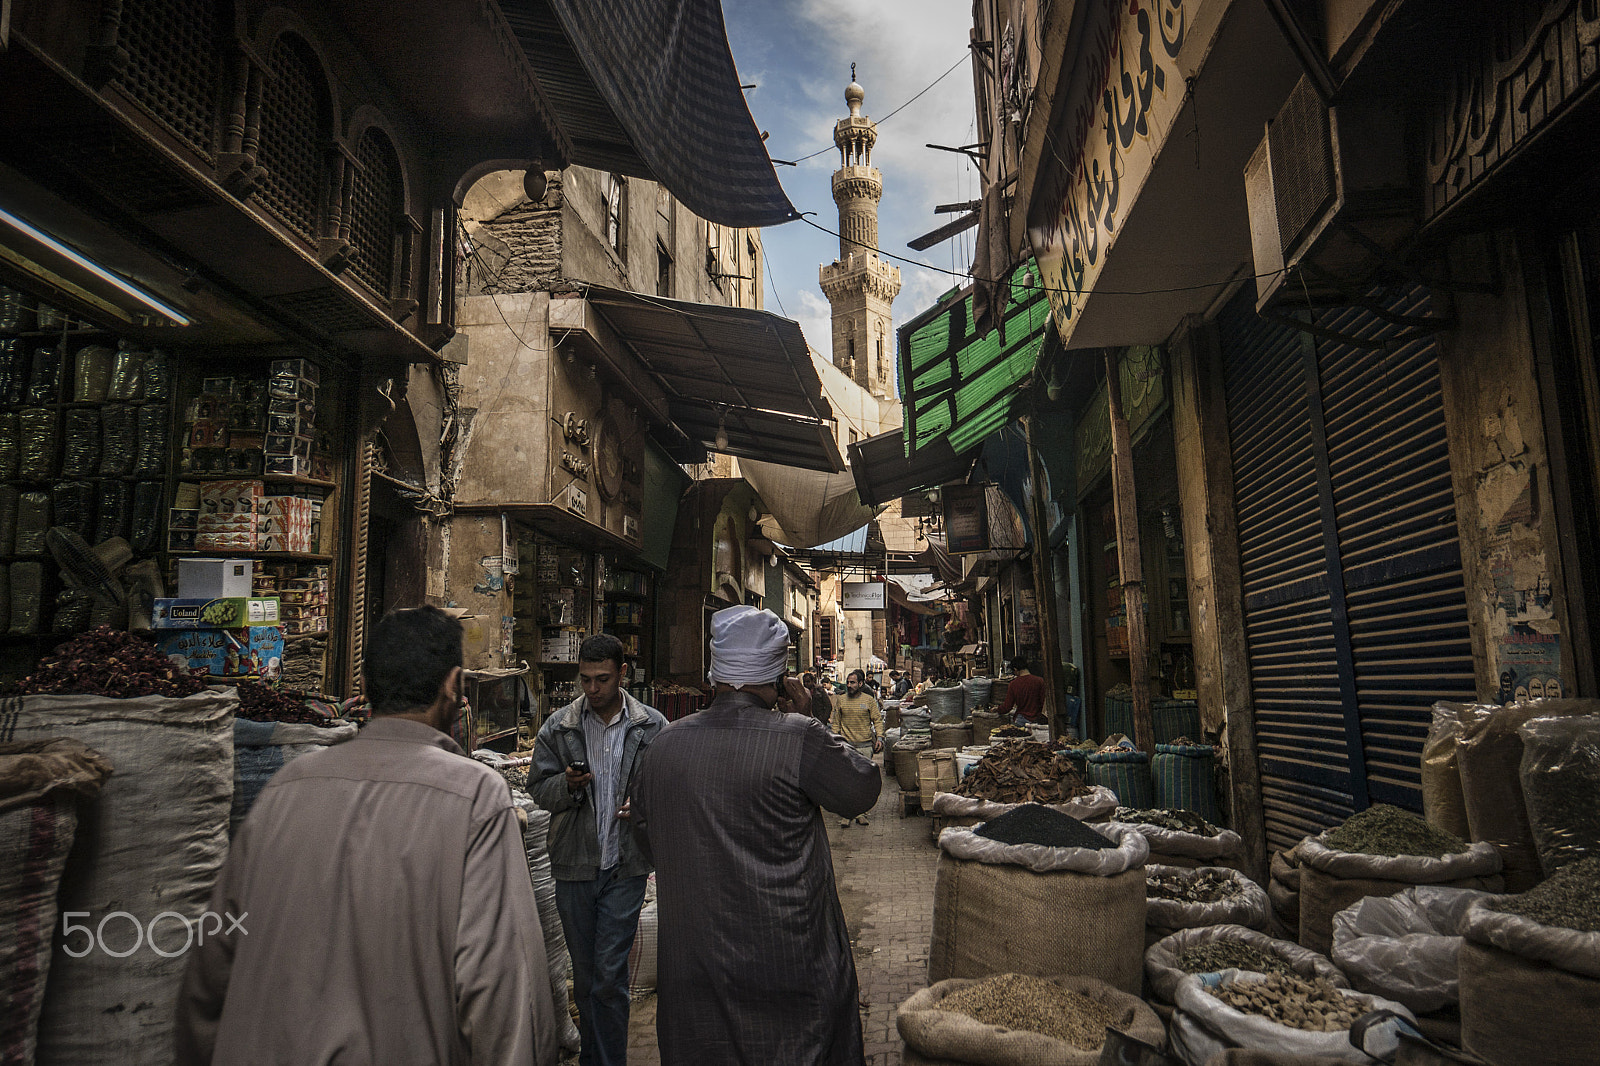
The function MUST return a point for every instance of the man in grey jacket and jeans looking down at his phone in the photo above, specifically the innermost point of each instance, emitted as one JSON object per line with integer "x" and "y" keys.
{"x": 583, "y": 774}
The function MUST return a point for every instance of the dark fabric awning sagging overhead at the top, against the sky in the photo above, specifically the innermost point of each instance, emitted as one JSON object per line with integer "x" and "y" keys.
{"x": 649, "y": 89}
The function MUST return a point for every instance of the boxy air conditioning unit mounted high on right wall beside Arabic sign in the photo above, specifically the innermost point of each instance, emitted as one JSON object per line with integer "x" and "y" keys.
{"x": 1329, "y": 199}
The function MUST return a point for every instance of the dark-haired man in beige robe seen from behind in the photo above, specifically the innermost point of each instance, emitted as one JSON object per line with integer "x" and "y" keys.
{"x": 382, "y": 892}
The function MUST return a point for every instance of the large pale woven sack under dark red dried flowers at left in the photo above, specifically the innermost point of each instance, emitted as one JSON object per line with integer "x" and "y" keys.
{"x": 153, "y": 843}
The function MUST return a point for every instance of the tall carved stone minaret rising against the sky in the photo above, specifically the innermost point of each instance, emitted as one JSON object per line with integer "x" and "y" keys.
{"x": 860, "y": 284}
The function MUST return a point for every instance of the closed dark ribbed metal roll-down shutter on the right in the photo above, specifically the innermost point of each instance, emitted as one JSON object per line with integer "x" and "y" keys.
{"x": 1356, "y": 615}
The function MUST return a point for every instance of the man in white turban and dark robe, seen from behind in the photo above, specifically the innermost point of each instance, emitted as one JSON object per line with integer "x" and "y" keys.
{"x": 754, "y": 960}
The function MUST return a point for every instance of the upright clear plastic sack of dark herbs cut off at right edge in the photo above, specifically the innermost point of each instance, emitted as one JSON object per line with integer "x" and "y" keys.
{"x": 1561, "y": 785}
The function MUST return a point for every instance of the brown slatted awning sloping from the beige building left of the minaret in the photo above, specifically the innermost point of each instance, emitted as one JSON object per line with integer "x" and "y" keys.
{"x": 743, "y": 372}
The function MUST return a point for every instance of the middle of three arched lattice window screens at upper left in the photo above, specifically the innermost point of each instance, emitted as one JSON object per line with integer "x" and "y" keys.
{"x": 292, "y": 138}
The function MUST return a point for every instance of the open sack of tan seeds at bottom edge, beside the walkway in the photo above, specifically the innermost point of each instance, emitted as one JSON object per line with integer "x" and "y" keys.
{"x": 1017, "y": 1019}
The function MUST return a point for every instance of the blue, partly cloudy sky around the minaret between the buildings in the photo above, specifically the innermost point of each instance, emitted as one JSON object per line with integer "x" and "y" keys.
{"x": 798, "y": 54}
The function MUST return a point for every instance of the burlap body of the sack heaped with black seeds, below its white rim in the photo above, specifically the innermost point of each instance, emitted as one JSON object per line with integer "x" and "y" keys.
{"x": 1009, "y": 920}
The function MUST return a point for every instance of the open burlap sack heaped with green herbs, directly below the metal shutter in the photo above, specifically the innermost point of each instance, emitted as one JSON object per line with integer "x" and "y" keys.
{"x": 1380, "y": 852}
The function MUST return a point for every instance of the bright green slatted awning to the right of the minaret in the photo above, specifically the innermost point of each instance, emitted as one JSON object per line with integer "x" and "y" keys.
{"x": 958, "y": 387}
